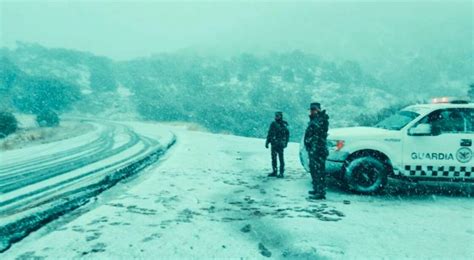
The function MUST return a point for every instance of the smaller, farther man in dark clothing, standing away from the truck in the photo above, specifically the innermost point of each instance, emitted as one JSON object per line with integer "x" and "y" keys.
{"x": 278, "y": 136}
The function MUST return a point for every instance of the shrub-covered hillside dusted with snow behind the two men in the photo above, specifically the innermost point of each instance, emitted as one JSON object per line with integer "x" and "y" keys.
{"x": 235, "y": 94}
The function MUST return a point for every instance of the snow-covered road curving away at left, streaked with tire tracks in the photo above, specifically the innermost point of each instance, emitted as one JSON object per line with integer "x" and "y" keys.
{"x": 35, "y": 180}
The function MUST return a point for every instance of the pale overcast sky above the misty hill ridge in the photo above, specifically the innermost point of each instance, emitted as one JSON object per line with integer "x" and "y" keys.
{"x": 123, "y": 30}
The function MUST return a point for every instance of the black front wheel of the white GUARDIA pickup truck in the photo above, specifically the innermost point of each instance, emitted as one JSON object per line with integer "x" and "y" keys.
{"x": 366, "y": 175}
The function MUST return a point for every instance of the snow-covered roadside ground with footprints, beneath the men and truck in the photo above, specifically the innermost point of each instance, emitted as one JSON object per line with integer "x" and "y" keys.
{"x": 210, "y": 197}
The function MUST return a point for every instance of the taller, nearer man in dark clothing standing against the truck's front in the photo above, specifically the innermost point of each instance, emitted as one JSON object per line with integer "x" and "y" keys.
{"x": 315, "y": 144}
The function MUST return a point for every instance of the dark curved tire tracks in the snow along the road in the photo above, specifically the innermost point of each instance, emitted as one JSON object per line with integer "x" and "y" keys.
{"x": 56, "y": 188}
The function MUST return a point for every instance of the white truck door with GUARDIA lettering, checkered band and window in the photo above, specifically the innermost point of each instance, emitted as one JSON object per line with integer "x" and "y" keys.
{"x": 446, "y": 152}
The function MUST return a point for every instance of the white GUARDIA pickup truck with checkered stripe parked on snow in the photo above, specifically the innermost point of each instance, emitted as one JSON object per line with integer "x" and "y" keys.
{"x": 420, "y": 142}
